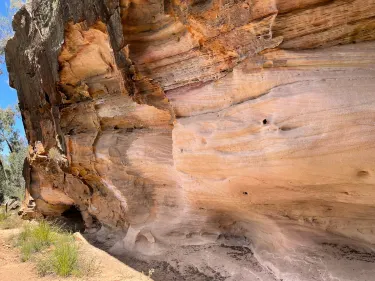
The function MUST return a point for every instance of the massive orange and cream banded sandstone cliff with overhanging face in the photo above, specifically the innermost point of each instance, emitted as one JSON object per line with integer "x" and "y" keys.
{"x": 217, "y": 140}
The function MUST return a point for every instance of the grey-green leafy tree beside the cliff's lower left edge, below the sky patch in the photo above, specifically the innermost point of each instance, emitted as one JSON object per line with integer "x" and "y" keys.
{"x": 13, "y": 149}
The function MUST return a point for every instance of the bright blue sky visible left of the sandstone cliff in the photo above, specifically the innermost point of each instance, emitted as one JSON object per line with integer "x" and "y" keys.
{"x": 8, "y": 96}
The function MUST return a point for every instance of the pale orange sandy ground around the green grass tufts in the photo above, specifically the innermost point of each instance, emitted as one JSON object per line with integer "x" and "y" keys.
{"x": 109, "y": 268}
